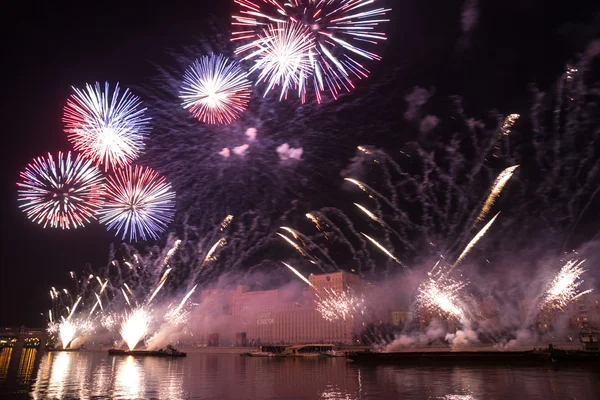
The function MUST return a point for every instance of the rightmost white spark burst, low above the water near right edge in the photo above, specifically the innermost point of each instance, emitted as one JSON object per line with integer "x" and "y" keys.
{"x": 564, "y": 287}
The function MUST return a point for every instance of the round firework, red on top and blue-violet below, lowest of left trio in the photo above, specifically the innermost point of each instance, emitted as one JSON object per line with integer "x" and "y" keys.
{"x": 138, "y": 202}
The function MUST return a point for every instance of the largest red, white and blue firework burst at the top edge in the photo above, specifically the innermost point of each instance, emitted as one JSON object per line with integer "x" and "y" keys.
{"x": 340, "y": 29}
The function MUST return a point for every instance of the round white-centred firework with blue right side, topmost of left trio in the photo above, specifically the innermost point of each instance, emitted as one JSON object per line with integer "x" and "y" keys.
{"x": 107, "y": 128}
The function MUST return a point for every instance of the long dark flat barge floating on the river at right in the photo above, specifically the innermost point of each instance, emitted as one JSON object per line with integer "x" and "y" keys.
{"x": 479, "y": 357}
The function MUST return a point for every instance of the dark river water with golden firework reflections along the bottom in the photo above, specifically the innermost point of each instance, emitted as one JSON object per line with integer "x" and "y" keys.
{"x": 94, "y": 374}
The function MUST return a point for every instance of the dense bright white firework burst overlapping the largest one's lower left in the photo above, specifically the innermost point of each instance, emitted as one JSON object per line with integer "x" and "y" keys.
{"x": 283, "y": 56}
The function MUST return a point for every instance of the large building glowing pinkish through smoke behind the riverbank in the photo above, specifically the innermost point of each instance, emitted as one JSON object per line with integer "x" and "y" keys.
{"x": 271, "y": 317}
